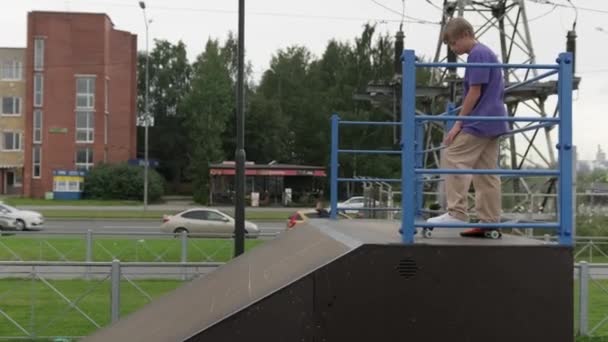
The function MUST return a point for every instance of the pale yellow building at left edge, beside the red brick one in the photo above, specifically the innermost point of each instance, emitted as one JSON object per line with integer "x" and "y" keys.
{"x": 12, "y": 120}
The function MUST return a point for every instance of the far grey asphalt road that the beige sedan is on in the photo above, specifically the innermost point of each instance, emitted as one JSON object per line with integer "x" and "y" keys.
{"x": 131, "y": 226}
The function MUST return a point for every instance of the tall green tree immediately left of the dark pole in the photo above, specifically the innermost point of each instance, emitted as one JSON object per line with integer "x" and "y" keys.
{"x": 207, "y": 106}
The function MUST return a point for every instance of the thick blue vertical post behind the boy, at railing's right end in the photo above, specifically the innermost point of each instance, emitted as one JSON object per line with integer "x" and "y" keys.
{"x": 566, "y": 216}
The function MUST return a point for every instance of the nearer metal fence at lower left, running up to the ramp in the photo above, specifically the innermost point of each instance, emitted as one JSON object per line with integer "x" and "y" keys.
{"x": 52, "y": 300}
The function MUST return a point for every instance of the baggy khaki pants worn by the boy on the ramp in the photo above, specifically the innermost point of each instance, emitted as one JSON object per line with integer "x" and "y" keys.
{"x": 471, "y": 152}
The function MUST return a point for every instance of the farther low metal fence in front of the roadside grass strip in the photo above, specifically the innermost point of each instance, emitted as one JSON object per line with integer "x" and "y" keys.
{"x": 92, "y": 246}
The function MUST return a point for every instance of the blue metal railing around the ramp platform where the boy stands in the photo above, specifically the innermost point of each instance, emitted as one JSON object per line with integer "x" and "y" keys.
{"x": 412, "y": 147}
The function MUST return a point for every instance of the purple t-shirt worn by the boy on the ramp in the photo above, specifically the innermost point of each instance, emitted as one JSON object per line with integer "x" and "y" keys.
{"x": 491, "y": 101}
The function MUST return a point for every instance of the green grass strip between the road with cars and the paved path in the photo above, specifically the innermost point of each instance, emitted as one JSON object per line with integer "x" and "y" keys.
{"x": 127, "y": 250}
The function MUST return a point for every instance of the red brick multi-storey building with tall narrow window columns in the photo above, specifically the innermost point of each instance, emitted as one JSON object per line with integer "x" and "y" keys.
{"x": 80, "y": 102}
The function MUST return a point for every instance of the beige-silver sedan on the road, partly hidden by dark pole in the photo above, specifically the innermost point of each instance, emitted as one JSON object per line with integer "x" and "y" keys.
{"x": 204, "y": 220}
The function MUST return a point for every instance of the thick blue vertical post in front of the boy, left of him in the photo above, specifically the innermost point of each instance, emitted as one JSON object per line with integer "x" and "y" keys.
{"x": 408, "y": 158}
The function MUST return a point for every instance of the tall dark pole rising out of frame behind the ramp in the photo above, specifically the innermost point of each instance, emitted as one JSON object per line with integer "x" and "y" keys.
{"x": 239, "y": 210}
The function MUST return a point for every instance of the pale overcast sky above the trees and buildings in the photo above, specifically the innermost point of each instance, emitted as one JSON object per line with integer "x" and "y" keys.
{"x": 274, "y": 24}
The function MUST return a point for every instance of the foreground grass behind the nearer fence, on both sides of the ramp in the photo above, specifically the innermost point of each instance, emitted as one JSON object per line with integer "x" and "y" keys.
{"x": 36, "y": 307}
